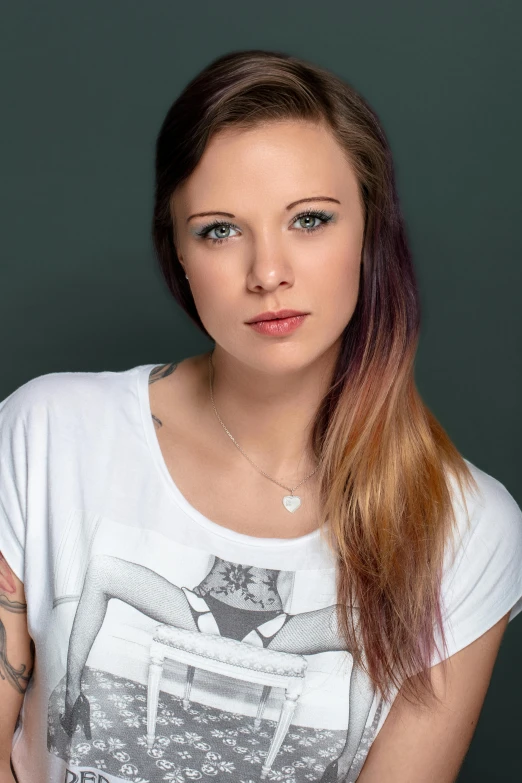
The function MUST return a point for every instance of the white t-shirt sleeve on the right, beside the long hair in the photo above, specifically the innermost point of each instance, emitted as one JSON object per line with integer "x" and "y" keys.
{"x": 483, "y": 580}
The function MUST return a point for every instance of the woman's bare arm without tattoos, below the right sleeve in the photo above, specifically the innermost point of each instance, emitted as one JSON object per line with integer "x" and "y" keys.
{"x": 417, "y": 745}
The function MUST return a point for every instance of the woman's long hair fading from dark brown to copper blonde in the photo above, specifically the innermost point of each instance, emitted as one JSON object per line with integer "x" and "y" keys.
{"x": 386, "y": 464}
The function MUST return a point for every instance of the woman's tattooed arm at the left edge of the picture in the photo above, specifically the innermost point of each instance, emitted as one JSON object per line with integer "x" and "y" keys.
{"x": 16, "y": 660}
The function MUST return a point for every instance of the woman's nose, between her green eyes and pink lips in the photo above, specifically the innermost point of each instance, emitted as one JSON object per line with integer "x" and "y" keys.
{"x": 269, "y": 265}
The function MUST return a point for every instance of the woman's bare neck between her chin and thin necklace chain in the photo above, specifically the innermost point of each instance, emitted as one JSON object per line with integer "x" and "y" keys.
{"x": 269, "y": 414}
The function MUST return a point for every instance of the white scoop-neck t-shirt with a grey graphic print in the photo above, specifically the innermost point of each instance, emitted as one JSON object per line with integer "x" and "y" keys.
{"x": 178, "y": 679}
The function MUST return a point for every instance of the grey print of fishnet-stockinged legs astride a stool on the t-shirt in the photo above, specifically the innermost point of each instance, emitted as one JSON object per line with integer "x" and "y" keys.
{"x": 229, "y": 633}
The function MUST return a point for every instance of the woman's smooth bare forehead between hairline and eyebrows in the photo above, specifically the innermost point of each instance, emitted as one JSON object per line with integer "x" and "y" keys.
{"x": 276, "y": 161}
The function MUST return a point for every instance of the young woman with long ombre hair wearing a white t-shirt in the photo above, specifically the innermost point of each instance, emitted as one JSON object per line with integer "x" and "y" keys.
{"x": 285, "y": 498}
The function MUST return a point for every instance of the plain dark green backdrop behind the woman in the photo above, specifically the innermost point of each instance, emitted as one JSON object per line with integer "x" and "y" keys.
{"x": 85, "y": 89}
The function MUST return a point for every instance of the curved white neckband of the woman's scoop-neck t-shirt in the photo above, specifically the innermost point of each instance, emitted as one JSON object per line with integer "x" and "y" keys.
{"x": 158, "y": 460}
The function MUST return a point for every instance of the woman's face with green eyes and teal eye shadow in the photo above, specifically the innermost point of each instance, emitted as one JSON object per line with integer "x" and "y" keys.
{"x": 267, "y": 254}
